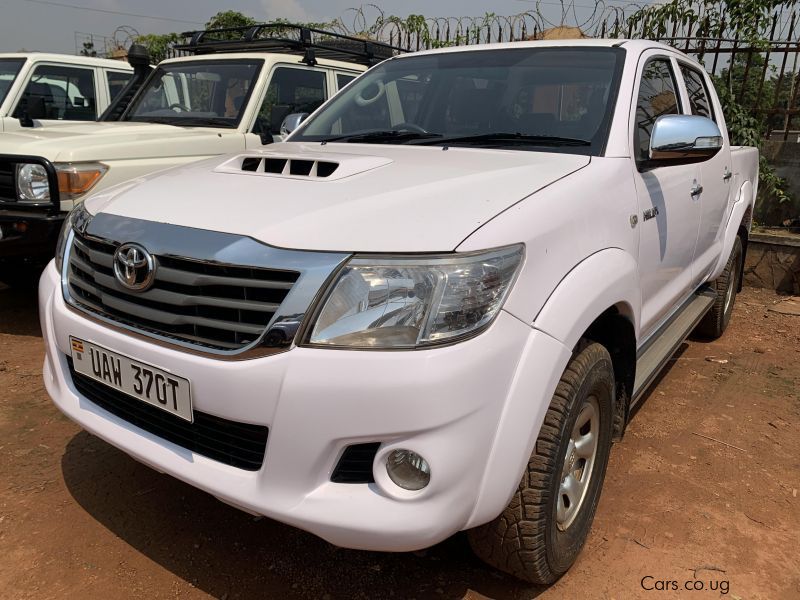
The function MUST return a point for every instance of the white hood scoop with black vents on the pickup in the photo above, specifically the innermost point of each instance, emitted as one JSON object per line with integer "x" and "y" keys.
{"x": 316, "y": 166}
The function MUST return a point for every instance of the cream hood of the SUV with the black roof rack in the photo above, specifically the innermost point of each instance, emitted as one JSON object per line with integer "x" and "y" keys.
{"x": 109, "y": 141}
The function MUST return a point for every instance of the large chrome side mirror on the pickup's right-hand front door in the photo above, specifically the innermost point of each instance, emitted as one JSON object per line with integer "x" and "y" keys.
{"x": 684, "y": 139}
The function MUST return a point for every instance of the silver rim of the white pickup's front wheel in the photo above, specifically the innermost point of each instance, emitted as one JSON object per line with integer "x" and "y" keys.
{"x": 579, "y": 459}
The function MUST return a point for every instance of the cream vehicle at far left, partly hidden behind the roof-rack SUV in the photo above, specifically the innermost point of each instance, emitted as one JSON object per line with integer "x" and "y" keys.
{"x": 53, "y": 89}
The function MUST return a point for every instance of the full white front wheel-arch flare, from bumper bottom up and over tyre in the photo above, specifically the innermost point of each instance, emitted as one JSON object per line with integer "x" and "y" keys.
{"x": 604, "y": 279}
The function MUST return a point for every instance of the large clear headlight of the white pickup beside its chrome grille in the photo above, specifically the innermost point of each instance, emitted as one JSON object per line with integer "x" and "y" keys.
{"x": 415, "y": 301}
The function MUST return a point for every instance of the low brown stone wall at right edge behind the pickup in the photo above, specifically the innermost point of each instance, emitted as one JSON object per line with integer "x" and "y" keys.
{"x": 773, "y": 262}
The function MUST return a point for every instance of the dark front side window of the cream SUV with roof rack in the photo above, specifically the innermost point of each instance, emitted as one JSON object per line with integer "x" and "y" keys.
{"x": 290, "y": 91}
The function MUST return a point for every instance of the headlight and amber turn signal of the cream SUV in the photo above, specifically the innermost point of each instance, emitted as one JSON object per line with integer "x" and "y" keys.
{"x": 74, "y": 180}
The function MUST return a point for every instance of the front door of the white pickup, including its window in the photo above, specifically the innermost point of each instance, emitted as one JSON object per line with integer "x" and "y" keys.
{"x": 669, "y": 210}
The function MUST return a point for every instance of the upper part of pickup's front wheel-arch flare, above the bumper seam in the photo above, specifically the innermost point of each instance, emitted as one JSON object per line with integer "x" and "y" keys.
{"x": 607, "y": 278}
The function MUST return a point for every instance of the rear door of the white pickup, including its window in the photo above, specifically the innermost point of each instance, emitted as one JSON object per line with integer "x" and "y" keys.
{"x": 714, "y": 175}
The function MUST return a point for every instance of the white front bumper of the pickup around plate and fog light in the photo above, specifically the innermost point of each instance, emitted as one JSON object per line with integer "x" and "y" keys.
{"x": 472, "y": 410}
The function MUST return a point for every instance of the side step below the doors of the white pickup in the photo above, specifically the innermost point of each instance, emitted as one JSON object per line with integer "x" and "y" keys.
{"x": 668, "y": 339}
